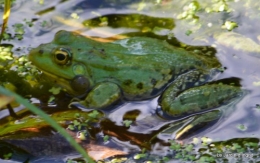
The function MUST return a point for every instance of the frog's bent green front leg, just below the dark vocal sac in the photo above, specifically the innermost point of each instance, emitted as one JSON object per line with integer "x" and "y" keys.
{"x": 102, "y": 95}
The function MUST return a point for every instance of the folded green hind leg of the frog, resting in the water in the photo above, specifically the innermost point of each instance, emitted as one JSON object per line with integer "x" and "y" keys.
{"x": 198, "y": 99}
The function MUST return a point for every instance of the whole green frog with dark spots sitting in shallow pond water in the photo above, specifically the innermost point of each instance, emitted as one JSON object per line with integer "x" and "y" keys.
{"x": 136, "y": 68}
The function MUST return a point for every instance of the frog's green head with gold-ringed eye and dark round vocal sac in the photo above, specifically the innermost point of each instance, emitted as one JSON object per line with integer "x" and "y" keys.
{"x": 58, "y": 59}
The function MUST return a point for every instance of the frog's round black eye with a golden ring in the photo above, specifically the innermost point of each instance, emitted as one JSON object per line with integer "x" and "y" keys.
{"x": 62, "y": 56}
